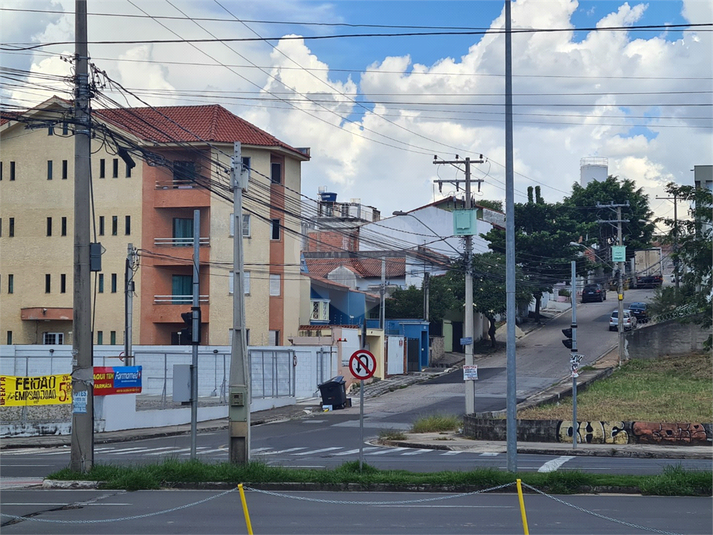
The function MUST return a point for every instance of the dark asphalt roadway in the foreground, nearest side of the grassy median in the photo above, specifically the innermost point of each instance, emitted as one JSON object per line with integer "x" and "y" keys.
{"x": 78, "y": 512}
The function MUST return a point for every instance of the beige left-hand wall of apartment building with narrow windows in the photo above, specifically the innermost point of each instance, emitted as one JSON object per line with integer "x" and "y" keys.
{"x": 31, "y": 198}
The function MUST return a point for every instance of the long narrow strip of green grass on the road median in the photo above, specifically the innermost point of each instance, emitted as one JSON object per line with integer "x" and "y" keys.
{"x": 673, "y": 481}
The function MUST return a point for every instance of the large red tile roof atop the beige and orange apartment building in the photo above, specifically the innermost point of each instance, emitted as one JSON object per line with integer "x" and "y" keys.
{"x": 171, "y": 124}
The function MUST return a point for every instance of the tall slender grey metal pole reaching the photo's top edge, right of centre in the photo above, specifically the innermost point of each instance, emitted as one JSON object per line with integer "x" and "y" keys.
{"x": 511, "y": 410}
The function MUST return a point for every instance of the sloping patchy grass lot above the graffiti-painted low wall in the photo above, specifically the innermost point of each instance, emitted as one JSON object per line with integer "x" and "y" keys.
{"x": 671, "y": 389}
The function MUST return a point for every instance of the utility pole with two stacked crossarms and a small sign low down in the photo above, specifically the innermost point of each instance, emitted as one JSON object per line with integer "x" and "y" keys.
{"x": 468, "y": 312}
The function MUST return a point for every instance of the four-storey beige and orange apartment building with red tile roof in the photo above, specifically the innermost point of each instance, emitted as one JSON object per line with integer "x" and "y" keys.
{"x": 151, "y": 169}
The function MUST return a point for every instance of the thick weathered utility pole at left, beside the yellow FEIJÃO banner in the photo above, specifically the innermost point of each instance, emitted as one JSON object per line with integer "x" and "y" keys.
{"x": 82, "y": 444}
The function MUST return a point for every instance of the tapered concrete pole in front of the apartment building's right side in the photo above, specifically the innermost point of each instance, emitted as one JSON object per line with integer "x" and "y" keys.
{"x": 239, "y": 385}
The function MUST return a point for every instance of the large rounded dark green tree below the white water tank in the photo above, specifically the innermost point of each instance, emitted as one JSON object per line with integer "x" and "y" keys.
{"x": 582, "y": 204}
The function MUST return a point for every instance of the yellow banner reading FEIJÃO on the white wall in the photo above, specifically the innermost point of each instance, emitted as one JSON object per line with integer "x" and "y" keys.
{"x": 31, "y": 391}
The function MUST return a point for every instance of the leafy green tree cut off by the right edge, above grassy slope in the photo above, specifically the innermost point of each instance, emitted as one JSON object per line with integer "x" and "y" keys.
{"x": 693, "y": 250}
